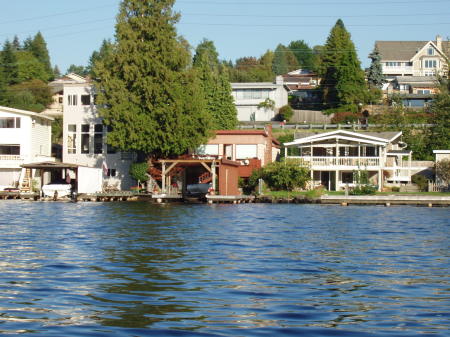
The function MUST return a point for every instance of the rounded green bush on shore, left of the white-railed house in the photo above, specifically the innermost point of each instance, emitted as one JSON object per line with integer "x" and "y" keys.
{"x": 286, "y": 175}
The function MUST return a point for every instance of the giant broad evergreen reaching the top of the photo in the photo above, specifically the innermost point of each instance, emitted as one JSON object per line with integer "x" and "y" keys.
{"x": 148, "y": 96}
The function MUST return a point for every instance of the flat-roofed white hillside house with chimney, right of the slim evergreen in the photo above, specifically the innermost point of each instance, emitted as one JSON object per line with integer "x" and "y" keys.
{"x": 247, "y": 97}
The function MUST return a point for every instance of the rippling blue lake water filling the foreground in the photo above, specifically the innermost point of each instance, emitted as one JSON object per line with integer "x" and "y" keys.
{"x": 137, "y": 269}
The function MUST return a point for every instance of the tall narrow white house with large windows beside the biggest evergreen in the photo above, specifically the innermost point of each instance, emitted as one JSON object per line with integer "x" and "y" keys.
{"x": 84, "y": 136}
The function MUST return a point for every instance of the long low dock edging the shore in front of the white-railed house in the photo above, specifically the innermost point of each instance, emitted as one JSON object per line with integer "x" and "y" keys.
{"x": 387, "y": 200}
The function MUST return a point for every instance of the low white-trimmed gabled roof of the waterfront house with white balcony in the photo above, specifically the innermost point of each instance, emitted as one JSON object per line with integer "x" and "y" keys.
{"x": 379, "y": 138}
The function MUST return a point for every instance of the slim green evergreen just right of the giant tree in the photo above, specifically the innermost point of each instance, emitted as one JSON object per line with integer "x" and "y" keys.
{"x": 216, "y": 86}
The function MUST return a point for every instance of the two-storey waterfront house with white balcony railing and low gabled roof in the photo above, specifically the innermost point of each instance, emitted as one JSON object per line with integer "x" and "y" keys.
{"x": 335, "y": 157}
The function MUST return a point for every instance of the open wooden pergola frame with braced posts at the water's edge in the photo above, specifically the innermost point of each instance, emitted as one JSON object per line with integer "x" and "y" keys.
{"x": 169, "y": 164}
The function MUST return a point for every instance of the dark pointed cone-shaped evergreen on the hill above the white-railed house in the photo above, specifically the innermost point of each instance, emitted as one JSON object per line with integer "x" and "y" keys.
{"x": 343, "y": 83}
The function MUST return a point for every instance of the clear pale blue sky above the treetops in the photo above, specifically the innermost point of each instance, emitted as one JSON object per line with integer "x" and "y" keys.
{"x": 74, "y": 29}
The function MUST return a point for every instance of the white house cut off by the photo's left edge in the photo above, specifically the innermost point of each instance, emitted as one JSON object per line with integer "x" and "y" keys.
{"x": 25, "y": 137}
